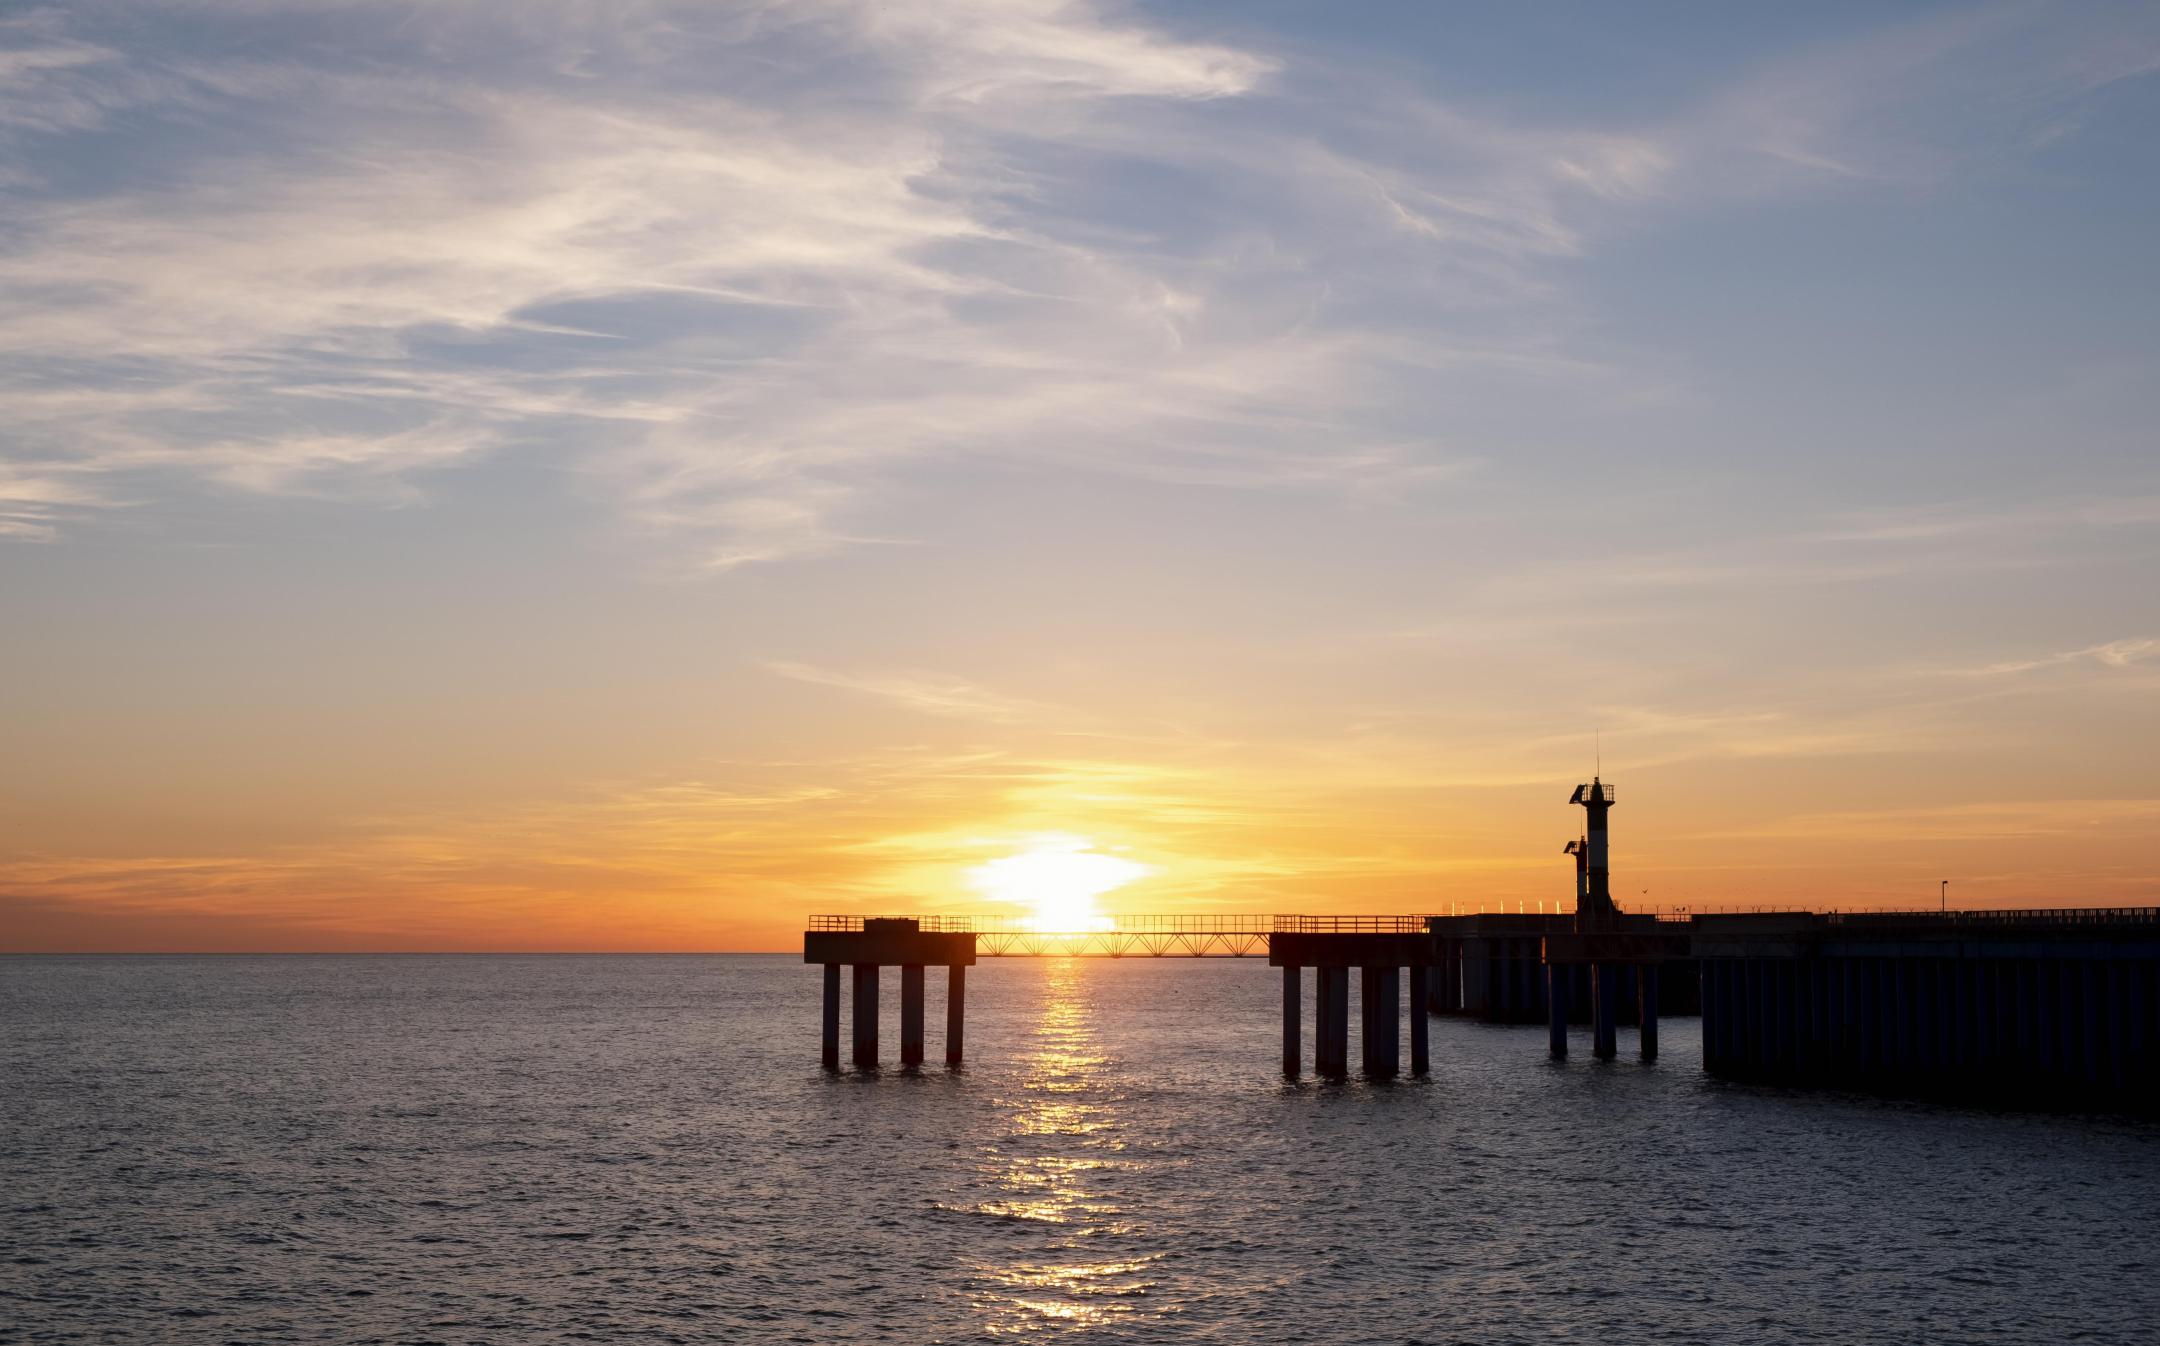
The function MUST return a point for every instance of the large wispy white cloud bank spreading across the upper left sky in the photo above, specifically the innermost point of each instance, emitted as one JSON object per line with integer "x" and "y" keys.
{"x": 759, "y": 271}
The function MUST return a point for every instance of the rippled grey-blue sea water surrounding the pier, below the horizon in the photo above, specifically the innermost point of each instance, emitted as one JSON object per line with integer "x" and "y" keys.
{"x": 645, "y": 1150}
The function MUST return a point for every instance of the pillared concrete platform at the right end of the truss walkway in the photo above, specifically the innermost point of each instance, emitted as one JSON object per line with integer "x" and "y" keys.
{"x": 1332, "y": 947}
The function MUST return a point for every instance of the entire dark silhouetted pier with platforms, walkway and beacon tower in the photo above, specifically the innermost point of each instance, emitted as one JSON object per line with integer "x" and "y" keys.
{"x": 2044, "y": 1006}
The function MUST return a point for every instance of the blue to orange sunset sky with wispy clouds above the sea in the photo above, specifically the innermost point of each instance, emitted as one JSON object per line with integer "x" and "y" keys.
{"x": 573, "y": 474}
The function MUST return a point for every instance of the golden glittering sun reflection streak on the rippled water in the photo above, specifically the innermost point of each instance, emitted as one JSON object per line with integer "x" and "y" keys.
{"x": 1057, "y": 1172}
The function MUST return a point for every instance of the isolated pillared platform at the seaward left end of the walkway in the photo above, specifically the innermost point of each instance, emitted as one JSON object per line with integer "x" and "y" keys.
{"x": 869, "y": 945}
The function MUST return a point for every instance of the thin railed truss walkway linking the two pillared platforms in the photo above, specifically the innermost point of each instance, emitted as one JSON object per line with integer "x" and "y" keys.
{"x": 1139, "y": 937}
